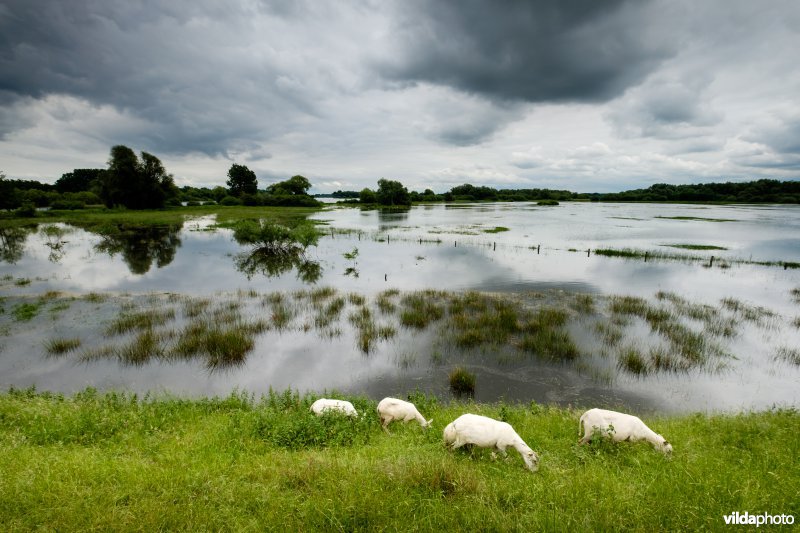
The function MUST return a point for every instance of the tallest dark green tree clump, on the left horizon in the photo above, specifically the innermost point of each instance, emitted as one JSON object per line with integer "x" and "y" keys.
{"x": 134, "y": 183}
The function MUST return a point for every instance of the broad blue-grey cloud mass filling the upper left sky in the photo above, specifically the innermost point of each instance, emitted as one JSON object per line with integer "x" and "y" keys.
{"x": 186, "y": 67}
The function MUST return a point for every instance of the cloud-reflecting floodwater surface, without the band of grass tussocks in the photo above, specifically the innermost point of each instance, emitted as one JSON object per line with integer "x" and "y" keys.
{"x": 514, "y": 249}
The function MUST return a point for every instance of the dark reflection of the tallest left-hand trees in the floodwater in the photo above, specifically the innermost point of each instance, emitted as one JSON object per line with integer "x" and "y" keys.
{"x": 141, "y": 246}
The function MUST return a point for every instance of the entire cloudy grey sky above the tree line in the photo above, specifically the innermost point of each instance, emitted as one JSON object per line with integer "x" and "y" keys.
{"x": 583, "y": 95}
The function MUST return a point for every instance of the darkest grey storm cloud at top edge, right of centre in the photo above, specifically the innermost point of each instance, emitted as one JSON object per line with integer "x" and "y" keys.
{"x": 534, "y": 51}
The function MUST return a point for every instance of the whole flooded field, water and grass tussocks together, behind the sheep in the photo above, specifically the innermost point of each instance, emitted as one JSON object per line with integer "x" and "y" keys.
{"x": 662, "y": 307}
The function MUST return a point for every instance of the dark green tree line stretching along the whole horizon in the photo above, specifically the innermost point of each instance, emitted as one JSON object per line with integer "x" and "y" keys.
{"x": 142, "y": 182}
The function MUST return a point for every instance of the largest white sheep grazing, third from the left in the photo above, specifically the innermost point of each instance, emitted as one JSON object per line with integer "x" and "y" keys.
{"x": 488, "y": 433}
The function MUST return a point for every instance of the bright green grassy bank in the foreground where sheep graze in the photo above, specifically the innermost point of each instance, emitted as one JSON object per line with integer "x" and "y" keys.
{"x": 115, "y": 462}
